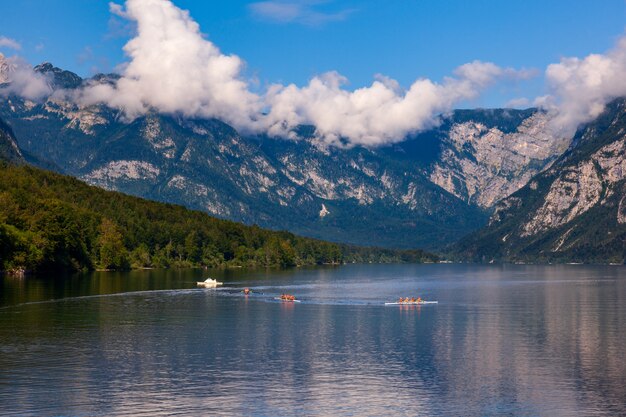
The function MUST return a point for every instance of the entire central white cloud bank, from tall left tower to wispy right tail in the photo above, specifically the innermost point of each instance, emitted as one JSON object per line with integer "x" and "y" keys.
{"x": 174, "y": 69}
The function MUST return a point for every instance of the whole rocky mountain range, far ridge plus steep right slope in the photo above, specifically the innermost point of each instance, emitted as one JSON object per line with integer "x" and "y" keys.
{"x": 496, "y": 184}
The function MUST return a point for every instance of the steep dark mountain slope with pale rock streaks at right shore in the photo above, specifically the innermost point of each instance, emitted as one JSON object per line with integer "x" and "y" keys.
{"x": 574, "y": 211}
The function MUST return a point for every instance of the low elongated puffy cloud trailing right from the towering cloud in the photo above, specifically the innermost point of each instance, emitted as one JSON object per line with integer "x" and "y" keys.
{"x": 380, "y": 113}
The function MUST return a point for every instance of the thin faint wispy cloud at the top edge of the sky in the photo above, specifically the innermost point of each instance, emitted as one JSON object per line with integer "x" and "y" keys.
{"x": 303, "y": 11}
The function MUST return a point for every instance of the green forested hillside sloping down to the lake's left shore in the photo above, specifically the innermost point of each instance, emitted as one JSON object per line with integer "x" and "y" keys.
{"x": 54, "y": 222}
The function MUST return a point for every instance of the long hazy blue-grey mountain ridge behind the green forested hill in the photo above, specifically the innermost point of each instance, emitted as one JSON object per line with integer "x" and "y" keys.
{"x": 427, "y": 191}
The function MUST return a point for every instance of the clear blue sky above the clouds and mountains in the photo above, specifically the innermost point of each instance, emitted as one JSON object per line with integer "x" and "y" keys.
{"x": 404, "y": 40}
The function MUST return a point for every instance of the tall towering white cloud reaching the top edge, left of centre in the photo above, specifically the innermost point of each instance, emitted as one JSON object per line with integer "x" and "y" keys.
{"x": 174, "y": 69}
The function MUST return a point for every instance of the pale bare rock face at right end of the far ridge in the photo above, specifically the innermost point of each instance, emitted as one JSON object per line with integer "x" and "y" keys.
{"x": 482, "y": 165}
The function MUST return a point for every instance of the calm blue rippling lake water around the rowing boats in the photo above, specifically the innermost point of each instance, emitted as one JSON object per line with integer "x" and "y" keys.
{"x": 503, "y": 340}
